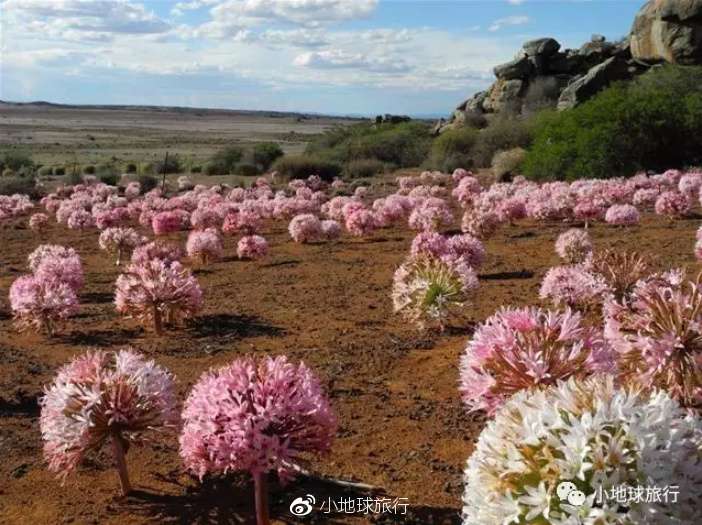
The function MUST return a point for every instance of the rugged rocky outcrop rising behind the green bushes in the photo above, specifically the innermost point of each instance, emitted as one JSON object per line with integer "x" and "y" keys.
{"x": 542, "y": 74}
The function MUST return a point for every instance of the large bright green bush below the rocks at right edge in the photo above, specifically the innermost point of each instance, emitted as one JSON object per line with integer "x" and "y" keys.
{"x": 653, "y": 123}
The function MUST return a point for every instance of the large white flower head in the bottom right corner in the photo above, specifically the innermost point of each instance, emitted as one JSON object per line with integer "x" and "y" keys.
{"x": 595, "y": 436}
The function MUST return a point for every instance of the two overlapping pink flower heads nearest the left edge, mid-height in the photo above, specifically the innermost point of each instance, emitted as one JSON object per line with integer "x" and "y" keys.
{"x": 49, "y": 295}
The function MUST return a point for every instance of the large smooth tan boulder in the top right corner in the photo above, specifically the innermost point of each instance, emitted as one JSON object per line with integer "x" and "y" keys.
{"x": 668, "y": 30}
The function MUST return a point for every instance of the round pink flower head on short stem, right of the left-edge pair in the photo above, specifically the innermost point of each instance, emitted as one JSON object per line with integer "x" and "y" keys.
{"x": 156, "y": 292}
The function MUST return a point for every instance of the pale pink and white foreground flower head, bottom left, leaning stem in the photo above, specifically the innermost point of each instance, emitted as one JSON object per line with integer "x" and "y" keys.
{"x": 101, "y": 396}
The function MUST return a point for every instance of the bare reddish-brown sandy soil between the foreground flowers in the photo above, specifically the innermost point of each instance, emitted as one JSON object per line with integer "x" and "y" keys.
{"x": 402, "y": 425}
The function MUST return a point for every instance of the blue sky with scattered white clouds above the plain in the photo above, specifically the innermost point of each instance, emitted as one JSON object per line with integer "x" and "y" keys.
{"x": 325, "y": 56}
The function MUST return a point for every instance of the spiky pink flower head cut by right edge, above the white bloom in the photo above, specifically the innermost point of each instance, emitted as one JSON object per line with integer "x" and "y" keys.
{"x": 656, "y": 332}
